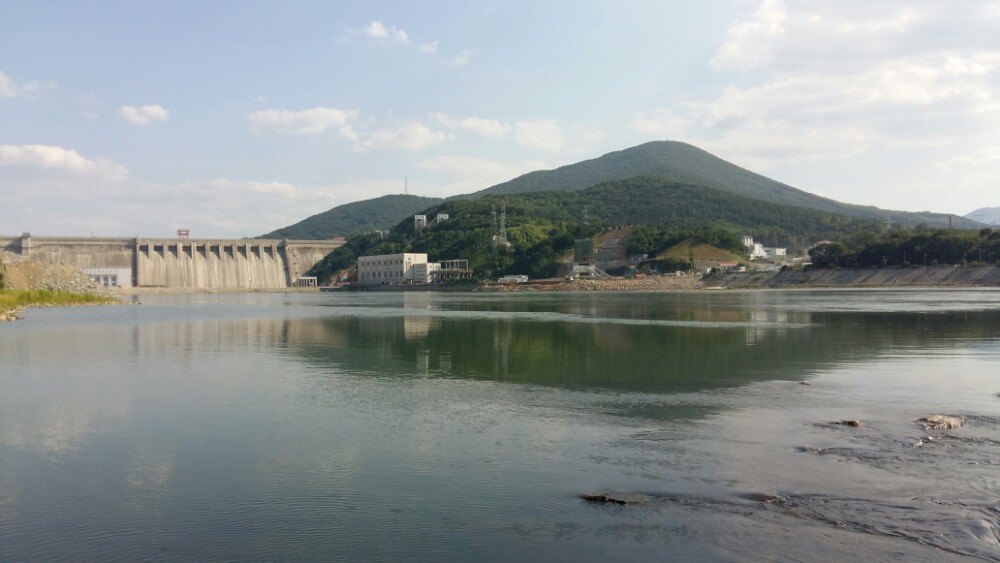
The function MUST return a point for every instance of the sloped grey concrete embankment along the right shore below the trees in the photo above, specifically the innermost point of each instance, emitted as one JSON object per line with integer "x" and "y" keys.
{"x": 934, "y": 276}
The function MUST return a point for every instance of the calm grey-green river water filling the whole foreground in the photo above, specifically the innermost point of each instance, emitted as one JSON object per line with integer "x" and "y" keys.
{"x": 466, "y": 426}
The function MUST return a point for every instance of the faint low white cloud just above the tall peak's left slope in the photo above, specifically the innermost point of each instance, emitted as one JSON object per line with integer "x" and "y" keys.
{"x": 471, "y": 173}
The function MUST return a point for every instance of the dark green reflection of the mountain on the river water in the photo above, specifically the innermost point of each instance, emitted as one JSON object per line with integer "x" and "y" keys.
{"x": 760, "y": 344}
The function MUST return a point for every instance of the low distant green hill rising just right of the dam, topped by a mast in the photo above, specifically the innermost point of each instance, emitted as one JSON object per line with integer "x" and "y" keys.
{"x": 354, "y": 218}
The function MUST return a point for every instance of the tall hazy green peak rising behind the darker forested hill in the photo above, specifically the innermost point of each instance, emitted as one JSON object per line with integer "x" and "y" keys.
{"x": 686, "y": 164}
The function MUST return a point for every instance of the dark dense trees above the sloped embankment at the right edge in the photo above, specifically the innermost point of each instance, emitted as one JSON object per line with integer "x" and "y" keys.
{"x": 905, "y": 247}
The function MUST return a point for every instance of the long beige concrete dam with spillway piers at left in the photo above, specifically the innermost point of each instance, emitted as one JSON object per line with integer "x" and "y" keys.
{"x": 180, "y": 263}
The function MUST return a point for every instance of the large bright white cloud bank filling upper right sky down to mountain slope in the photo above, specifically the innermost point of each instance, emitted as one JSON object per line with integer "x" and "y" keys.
{"x": 859, "y": 99}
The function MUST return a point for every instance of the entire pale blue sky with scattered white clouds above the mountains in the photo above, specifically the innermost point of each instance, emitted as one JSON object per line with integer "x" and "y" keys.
{"x": 232, "y": 119}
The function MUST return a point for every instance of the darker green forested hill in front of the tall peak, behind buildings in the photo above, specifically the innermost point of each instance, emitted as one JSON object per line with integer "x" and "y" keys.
{"x": 541, "y": 226}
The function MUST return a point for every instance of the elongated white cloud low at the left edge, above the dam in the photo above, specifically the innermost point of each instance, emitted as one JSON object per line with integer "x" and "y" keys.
{"x": 29, "y": 159}
